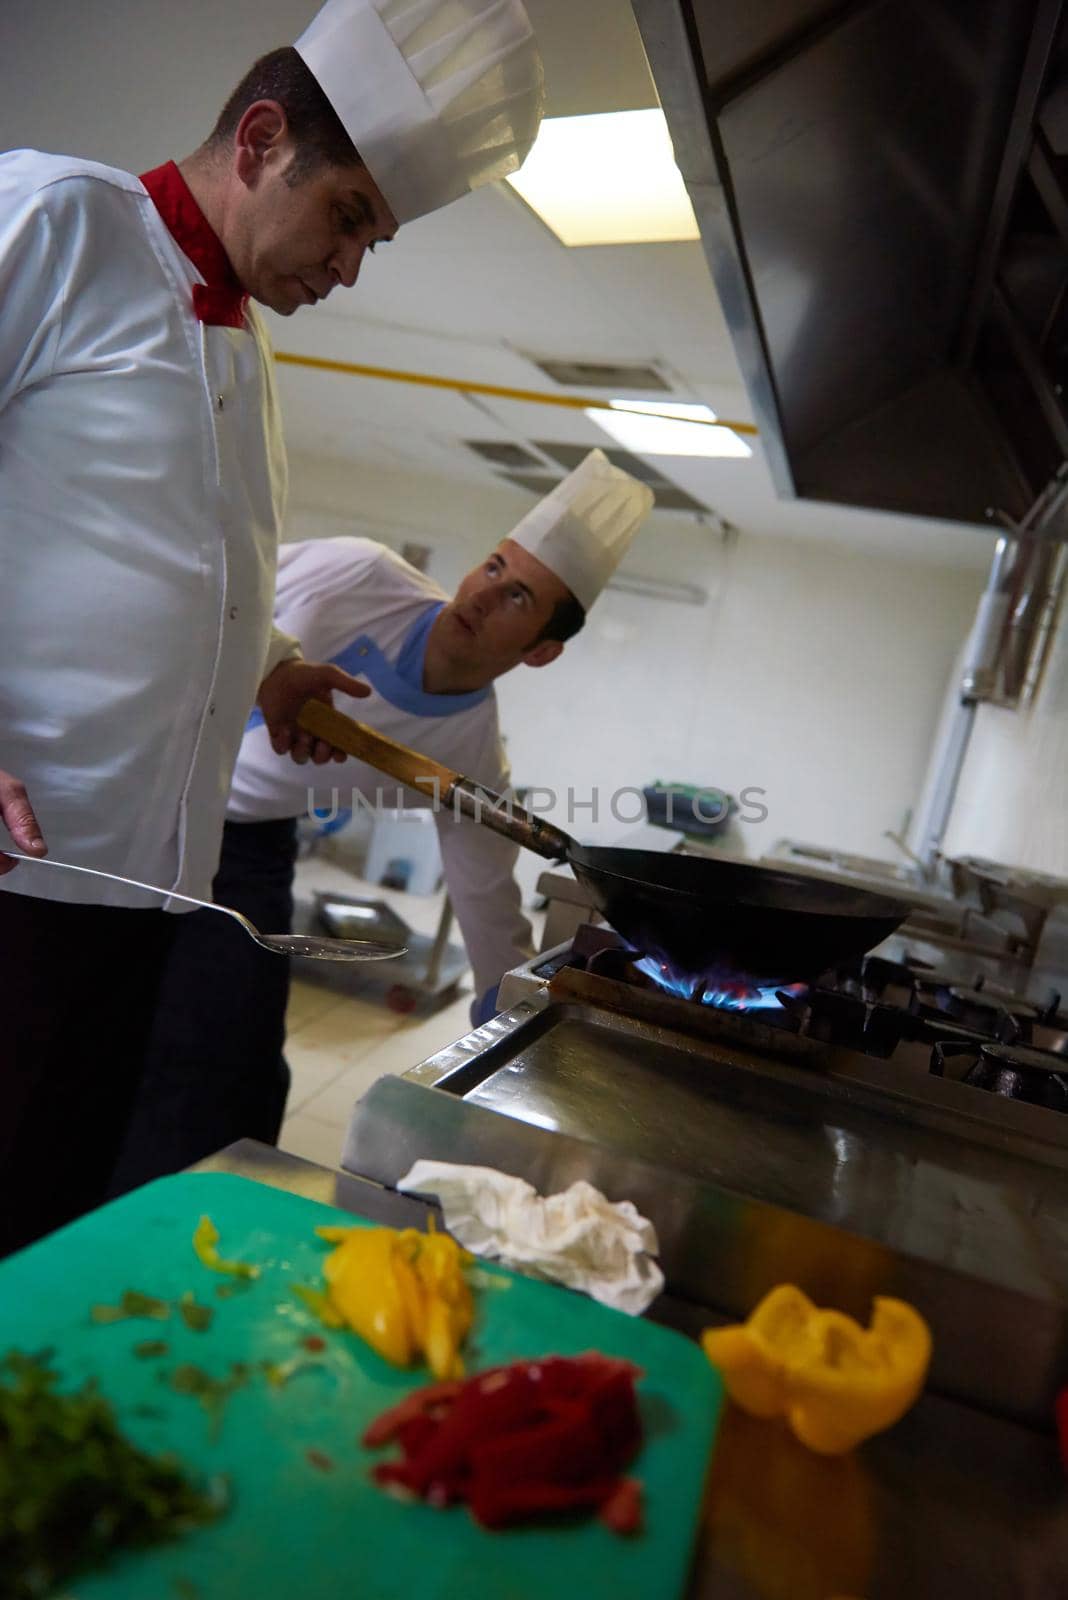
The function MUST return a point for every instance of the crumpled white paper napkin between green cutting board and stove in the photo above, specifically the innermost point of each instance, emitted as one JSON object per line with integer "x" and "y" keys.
{"x": 576, "y": 1238}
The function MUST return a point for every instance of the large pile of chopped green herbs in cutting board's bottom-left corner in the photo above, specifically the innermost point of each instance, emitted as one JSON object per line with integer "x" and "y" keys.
{"x": 73, "y": 1489}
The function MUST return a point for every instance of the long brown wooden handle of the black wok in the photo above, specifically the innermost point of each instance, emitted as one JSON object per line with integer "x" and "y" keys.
{"x": 445, "y": 786}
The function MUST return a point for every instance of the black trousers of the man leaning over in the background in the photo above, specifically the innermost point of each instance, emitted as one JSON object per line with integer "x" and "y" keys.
{"x": 215, "y": 1066}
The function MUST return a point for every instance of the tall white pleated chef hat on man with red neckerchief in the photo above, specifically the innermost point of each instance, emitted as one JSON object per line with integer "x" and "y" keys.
{"x": 439, "y": 97}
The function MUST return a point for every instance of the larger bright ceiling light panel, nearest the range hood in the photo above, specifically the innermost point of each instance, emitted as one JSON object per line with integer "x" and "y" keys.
{"x": 607, "y": 180}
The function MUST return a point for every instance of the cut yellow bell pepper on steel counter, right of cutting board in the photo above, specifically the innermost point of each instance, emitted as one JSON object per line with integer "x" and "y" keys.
{"x": 834, "y": 1382}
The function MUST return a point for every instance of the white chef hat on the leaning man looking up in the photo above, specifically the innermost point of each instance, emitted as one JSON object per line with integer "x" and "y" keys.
{"x": 584, "y": 527}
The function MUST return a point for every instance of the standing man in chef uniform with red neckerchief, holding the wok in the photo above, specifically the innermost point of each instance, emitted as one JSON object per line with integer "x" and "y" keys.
{"x": 141, "y": 497}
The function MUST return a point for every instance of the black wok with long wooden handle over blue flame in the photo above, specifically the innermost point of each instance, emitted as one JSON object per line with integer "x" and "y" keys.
{"x": 695, "y": 913}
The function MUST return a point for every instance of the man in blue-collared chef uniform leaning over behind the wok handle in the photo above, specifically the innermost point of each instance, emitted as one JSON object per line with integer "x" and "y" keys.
{"x": 217, "y": 1068}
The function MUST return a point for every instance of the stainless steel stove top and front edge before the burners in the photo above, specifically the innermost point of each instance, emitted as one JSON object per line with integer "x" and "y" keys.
{"x": 763, "y": 1153}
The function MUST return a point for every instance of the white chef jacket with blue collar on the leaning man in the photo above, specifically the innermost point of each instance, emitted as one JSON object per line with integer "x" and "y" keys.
{"x": 359, "y": 604}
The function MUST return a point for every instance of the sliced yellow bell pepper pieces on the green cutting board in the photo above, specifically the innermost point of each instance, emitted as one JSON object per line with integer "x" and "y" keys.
{"x": 402, "y": 1292}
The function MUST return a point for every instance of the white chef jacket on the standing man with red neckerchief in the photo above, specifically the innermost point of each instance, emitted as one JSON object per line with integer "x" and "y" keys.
{"x": 141, "y": 494}
